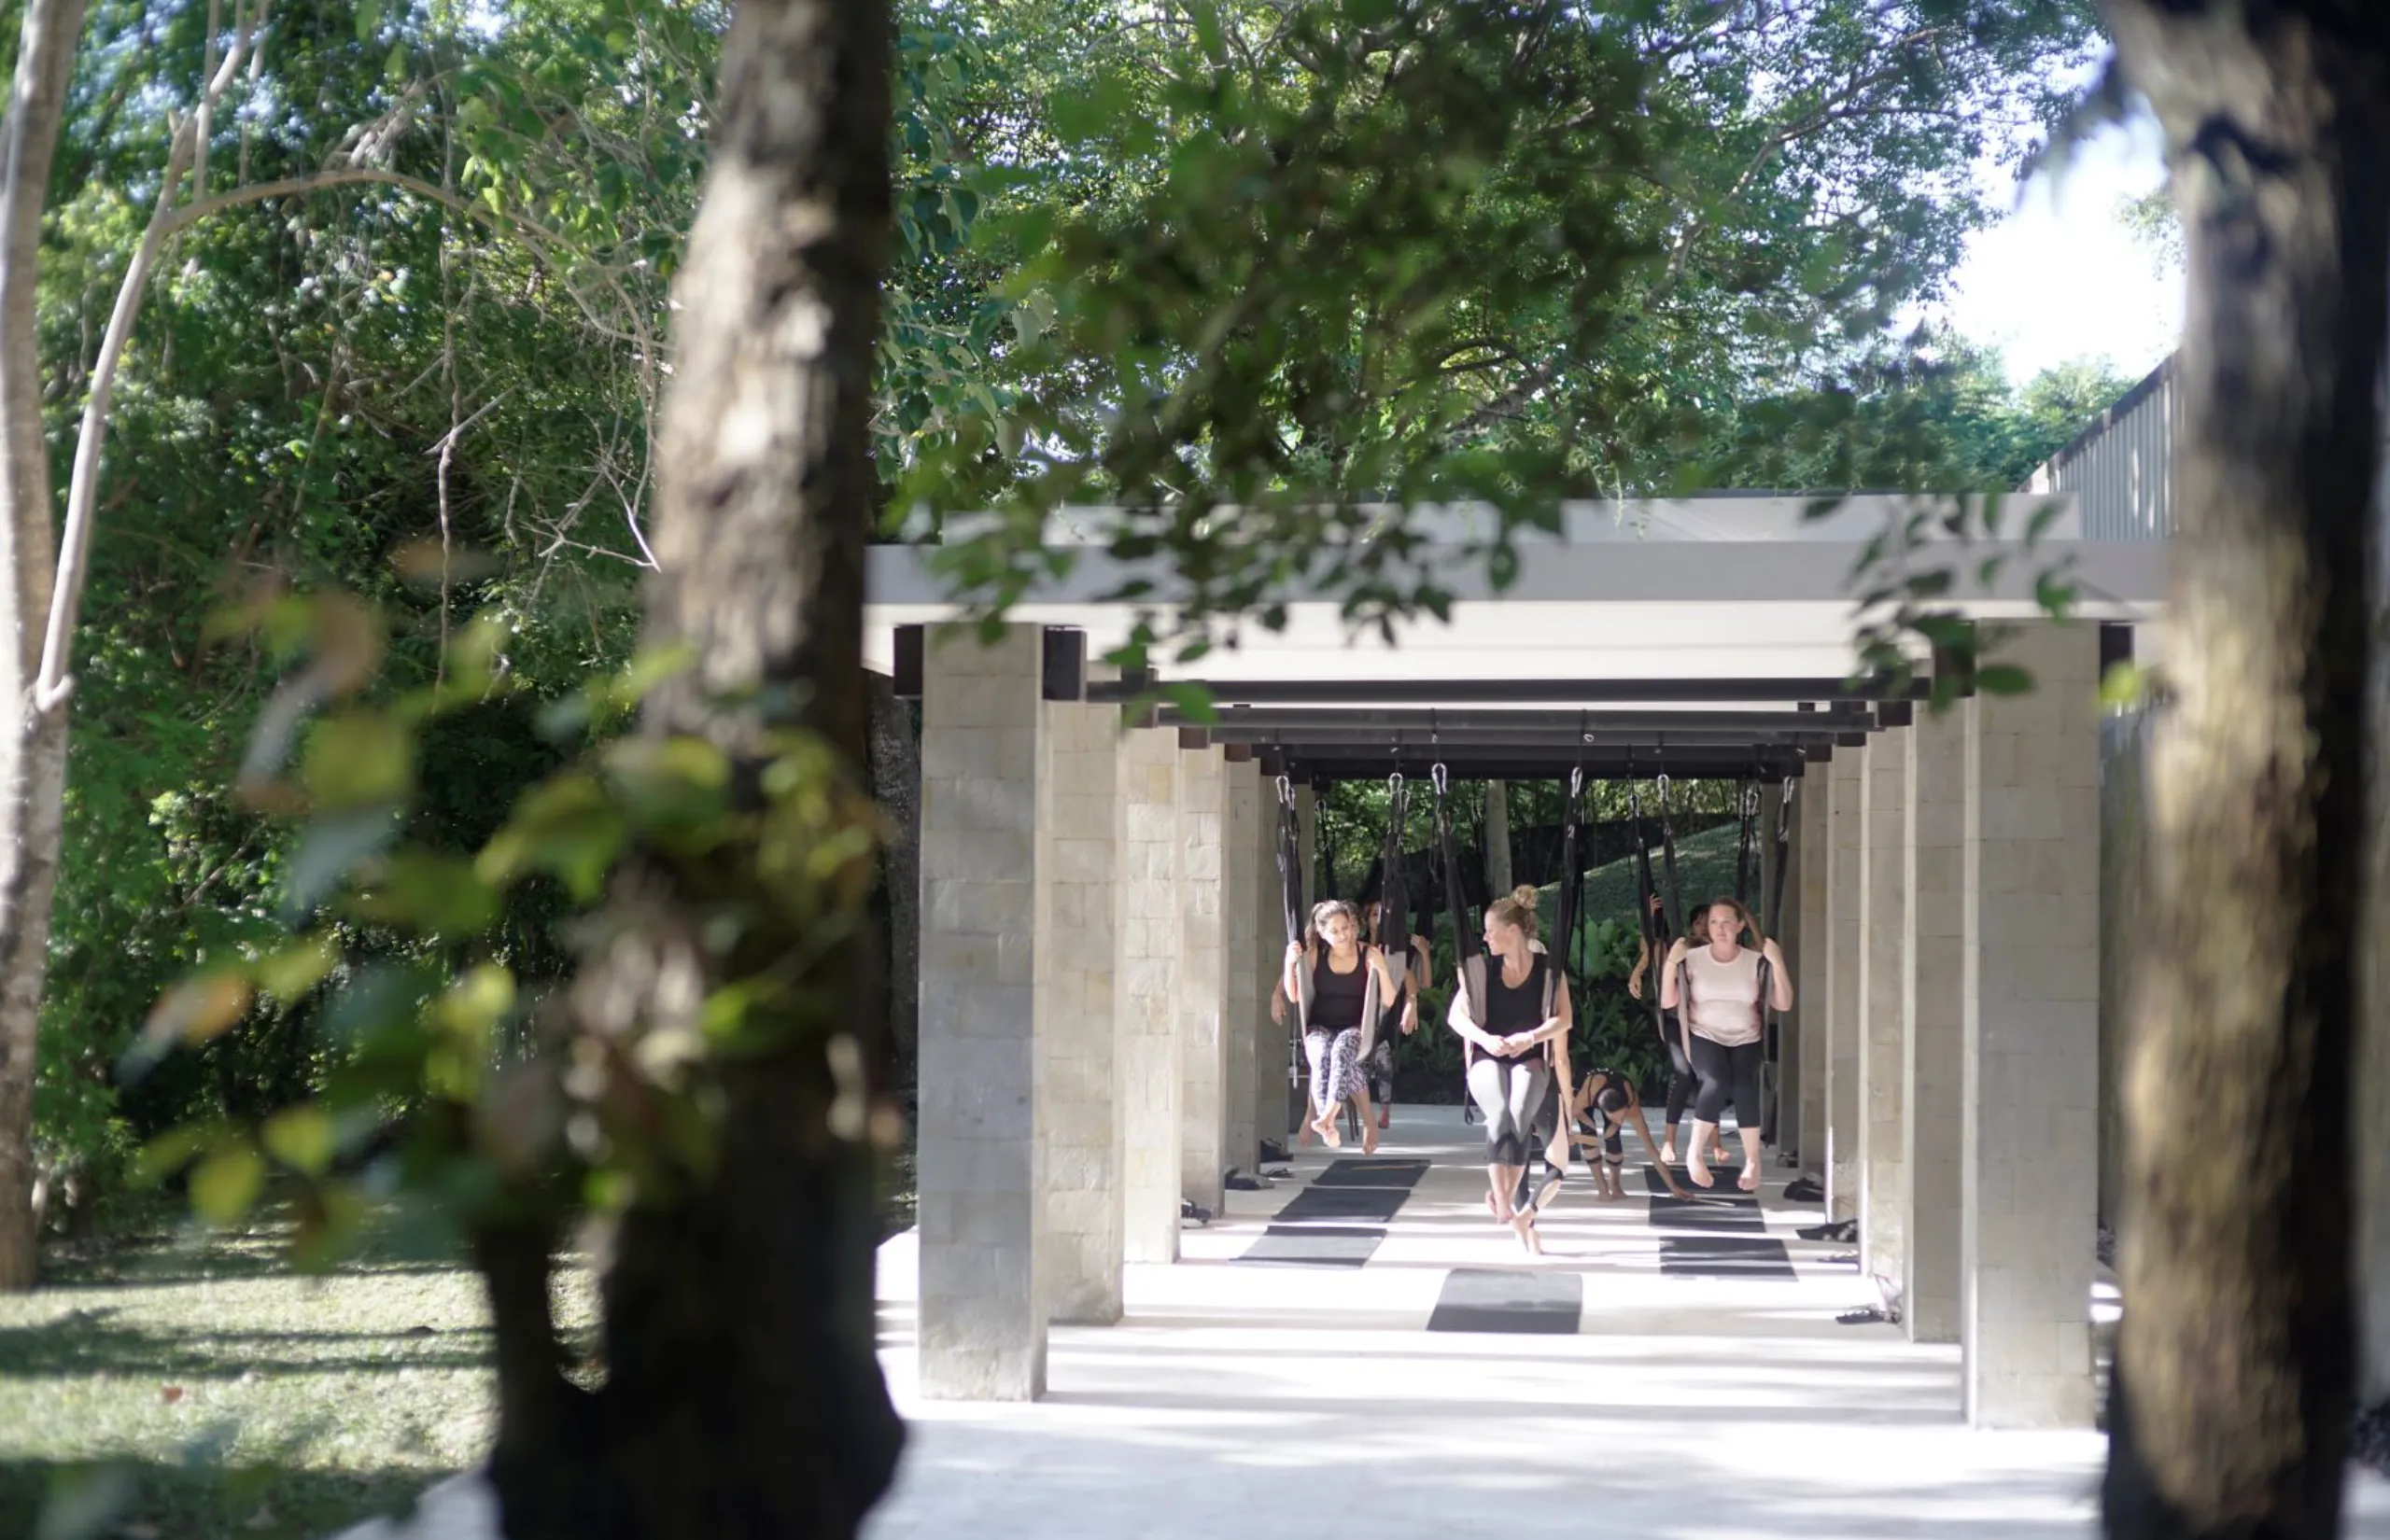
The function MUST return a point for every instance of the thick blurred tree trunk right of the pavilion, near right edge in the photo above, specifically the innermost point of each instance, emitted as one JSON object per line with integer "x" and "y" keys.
{"x": 2233, "y": 1360}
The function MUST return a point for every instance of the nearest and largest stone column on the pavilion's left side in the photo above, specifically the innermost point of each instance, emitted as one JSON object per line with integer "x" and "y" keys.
{"x": 983, "y": 1181}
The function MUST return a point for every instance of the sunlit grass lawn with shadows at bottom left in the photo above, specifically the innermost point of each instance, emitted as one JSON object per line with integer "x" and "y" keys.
{"x": 204, "y": 1391}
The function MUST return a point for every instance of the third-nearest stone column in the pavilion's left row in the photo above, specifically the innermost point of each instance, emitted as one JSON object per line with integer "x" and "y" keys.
{"x": 1146, "y": 992}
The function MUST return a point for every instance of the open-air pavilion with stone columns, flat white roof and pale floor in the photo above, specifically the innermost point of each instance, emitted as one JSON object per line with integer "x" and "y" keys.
{"x": 1359, "y": 1343}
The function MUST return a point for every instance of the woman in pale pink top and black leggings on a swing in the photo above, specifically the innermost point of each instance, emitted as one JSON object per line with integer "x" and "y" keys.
{"x": 1715, "y": 987}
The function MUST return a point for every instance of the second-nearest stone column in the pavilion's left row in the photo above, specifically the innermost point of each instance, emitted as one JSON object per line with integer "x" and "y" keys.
{"x": 1077, "y": 932}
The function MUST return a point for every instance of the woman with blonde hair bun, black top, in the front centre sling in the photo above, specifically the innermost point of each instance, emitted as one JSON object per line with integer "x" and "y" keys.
{"x": 1509, "y": 1009}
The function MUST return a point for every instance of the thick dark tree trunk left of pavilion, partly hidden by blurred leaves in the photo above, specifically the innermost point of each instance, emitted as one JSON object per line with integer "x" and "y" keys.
{"x": 744, "y": 1396}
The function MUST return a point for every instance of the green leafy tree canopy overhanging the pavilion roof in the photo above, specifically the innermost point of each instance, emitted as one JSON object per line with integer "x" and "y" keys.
{"x": 1318, "y": 266}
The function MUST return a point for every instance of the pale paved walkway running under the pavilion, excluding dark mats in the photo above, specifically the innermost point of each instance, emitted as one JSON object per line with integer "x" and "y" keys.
{"x": 1708, "y": 1403}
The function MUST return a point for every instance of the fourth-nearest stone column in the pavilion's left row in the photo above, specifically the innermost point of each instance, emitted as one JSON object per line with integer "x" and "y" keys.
{"x": 1203, "y": 975}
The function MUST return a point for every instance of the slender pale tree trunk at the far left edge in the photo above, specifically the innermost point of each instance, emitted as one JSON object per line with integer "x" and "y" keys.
{"x": 32, "y": 739}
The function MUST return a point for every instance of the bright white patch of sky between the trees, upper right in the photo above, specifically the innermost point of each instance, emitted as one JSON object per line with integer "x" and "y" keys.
{"x": 2061, "y": 278}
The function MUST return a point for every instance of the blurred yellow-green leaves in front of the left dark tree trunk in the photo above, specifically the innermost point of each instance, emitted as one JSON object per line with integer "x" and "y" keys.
{"x": 451, "y": 1064}
